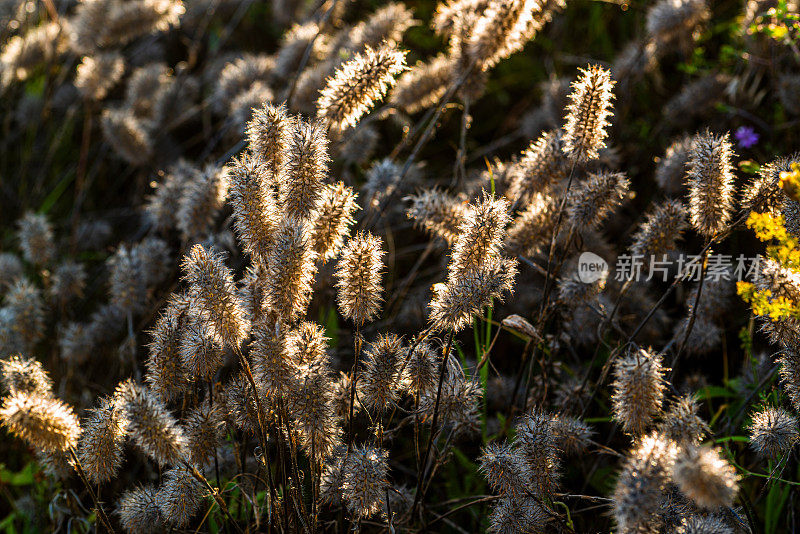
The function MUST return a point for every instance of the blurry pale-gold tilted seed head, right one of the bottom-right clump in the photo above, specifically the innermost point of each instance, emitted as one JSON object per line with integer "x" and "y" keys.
{"x": 705, "y": 477}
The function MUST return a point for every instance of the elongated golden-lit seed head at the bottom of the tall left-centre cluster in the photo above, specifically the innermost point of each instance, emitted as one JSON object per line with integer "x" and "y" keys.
{"x": 290, "y": 270}
